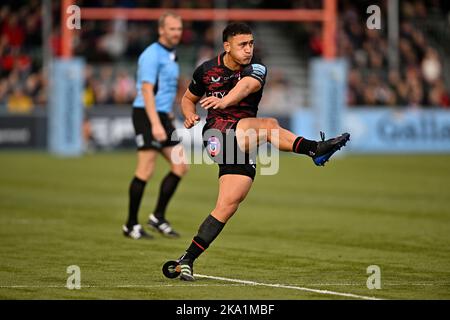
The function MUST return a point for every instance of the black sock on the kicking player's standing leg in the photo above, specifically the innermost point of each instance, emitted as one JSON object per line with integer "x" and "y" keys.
{"x": 208, "y": 231}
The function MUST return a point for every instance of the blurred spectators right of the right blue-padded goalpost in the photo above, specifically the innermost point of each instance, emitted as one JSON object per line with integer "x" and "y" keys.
{"x": 419, "y": 78}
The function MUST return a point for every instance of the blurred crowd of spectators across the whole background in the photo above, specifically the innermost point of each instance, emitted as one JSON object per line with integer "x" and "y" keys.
{"x": 111, "y": 49}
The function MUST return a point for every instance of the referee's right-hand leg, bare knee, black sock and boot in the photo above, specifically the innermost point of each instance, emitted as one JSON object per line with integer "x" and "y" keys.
{"x": 178, "y": 168}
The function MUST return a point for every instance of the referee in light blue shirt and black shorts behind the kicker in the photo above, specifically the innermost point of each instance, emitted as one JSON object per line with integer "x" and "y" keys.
{"x": 157, "y": 82}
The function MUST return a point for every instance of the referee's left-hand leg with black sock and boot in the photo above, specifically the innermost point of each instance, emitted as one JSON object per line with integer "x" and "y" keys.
{"x": 146, "y": 160}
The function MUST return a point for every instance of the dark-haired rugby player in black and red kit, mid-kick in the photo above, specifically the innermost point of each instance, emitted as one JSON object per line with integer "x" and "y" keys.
{"x": 233, "y": 85}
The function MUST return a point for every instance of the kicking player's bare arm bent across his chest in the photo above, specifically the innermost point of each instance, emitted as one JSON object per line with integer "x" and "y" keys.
{"x": 243, "y": 88}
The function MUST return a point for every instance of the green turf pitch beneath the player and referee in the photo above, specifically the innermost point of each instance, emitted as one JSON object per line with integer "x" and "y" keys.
{"x": 306, "y": 226}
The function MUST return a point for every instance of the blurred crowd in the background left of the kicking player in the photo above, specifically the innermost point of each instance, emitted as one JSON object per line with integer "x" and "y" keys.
{"x": 110, "y": 49}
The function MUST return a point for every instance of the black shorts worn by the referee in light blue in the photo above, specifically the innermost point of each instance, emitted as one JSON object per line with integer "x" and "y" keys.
{"x": 143, "y": 129}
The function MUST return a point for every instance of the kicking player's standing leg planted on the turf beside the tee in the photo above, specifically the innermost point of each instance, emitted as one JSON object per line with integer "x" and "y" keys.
{"x": 232, "y": 191}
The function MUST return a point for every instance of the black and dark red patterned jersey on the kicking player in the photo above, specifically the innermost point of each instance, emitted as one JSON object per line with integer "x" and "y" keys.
{"x": 214, "y": 78}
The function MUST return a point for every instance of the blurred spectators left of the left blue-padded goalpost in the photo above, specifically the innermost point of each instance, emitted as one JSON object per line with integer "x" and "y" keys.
{"x": 22, "y": 84}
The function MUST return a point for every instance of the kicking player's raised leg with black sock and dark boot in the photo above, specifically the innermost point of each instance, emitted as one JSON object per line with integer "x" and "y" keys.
{"x": 251, "y": 132}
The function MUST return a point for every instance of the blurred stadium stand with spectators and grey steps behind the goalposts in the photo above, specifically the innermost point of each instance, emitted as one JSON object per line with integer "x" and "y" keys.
{"x": 110, "y": 49}
